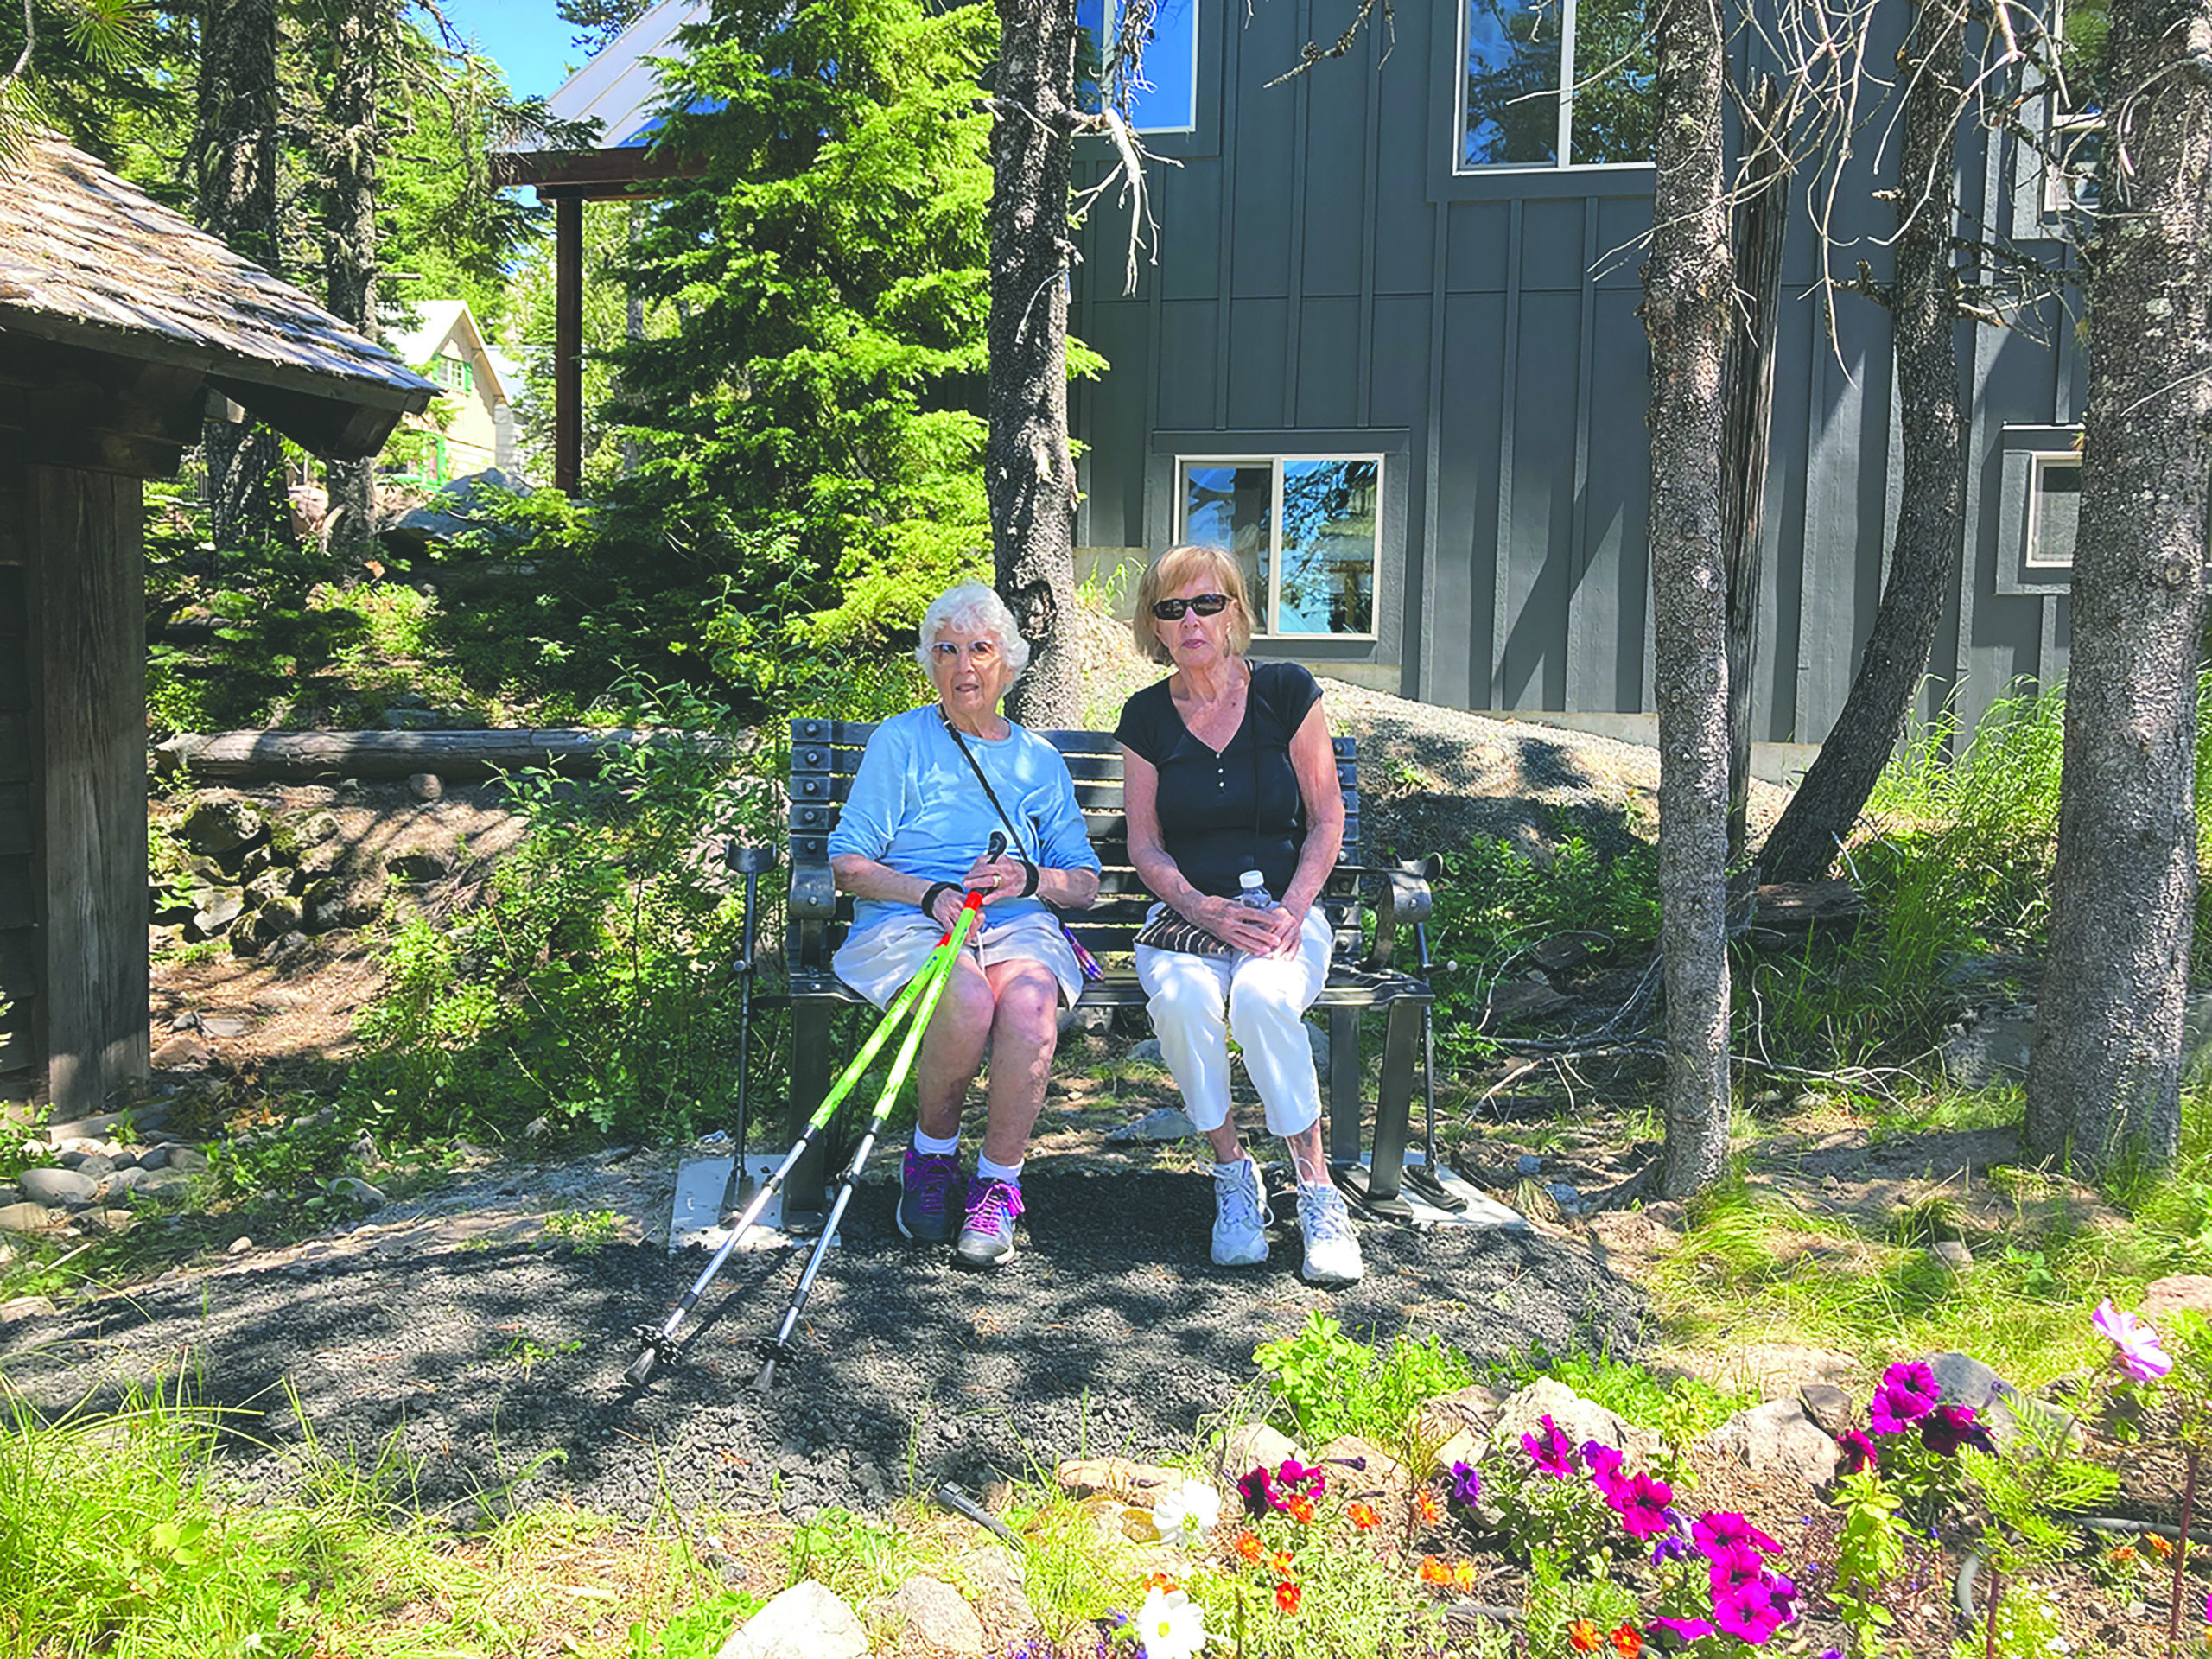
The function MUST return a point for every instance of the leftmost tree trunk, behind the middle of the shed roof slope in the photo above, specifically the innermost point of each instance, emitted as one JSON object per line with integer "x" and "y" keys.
{"x": 236, "y": 174}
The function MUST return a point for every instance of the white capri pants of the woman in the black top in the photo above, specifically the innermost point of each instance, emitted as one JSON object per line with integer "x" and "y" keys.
{"x": 1266, "y": 1001}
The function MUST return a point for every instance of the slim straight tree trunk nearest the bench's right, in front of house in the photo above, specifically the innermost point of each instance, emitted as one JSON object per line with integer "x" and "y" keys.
{"x": 1689, "y": 295}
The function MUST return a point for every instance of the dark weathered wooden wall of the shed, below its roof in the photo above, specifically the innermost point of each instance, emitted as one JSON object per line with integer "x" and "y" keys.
{"x": 72, "y": 782}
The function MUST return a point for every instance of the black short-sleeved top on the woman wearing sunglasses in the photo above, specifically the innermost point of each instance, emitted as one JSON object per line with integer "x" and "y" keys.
{"x": 1238, "y": 811}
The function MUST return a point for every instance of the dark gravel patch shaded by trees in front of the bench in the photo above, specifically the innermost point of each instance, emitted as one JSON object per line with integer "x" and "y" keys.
{"x": 497, "y": 1364}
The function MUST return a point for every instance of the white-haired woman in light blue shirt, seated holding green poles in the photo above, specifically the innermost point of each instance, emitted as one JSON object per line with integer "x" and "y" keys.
{"x": 932, "y": 789}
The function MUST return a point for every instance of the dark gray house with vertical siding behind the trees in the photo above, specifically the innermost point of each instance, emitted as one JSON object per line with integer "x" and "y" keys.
{"x": 1390, "y": 353}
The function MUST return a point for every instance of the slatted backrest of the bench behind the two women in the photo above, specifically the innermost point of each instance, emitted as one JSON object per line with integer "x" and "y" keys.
{"x": 828, "y": 753}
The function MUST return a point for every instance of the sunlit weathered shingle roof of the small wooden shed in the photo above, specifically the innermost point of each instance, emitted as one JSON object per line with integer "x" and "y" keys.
{"x": 92, "y": 264}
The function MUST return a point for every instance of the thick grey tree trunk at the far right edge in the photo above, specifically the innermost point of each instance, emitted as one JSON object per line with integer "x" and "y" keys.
{"x": 2105, "y": 1081}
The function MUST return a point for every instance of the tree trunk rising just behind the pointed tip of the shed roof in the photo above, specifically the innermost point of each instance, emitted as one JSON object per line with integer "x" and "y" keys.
{"x": 351, "y": 138}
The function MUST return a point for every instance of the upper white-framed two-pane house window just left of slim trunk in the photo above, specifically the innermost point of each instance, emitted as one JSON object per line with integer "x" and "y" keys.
{"x": 1556, "y": 83}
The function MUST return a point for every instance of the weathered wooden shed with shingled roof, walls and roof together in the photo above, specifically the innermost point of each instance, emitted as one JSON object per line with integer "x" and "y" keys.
{"x": 123, "y": 328}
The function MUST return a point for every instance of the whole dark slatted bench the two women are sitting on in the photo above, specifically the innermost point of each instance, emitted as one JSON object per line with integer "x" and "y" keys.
{"x": 1361, "y": 979}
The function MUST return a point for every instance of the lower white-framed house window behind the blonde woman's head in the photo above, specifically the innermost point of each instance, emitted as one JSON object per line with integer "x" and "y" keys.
{"x": 1306, "y": 532}
